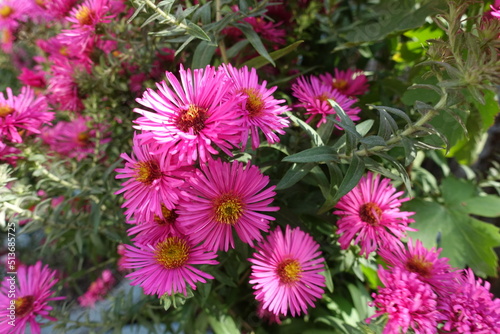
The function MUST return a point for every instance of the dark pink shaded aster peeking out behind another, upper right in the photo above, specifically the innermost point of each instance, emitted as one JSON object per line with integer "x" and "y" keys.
{"x": 350, "y": 83}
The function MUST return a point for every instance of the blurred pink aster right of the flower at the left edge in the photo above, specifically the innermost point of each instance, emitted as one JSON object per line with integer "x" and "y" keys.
{"x": 73, "y": 139}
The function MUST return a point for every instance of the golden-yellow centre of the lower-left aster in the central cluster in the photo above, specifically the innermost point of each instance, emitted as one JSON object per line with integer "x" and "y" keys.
{"x": 172, "y": 253}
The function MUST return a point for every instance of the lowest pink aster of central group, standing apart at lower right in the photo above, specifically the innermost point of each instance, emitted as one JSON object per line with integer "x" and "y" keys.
{"x": 286, "y": 271}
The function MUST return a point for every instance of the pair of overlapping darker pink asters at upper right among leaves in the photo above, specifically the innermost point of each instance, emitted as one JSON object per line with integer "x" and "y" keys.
{"x": 314, "y": 94}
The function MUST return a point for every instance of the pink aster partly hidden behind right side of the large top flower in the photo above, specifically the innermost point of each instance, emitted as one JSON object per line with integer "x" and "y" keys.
{"x": 259, "y": 109}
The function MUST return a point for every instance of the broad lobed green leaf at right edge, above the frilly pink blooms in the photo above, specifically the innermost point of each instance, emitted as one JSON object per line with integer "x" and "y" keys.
{"x": 465, "y": 240}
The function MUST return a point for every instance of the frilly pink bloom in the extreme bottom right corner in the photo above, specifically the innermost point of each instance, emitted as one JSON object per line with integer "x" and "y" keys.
{"x": 472, "y": 308}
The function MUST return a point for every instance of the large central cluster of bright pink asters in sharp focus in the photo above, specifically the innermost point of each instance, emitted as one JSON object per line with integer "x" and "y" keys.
{"x": 185, "y": 204}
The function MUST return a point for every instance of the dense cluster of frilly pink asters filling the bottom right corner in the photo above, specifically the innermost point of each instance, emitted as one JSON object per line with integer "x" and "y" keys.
{"x": 422, "y": 292}
